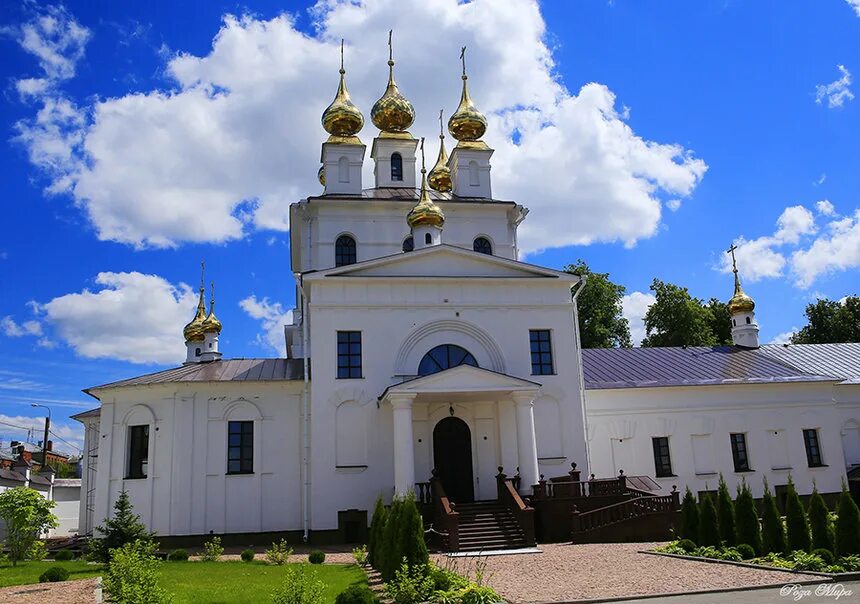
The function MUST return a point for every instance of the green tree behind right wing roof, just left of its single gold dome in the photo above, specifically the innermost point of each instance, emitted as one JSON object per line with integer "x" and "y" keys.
{"x": 677, "y": 319}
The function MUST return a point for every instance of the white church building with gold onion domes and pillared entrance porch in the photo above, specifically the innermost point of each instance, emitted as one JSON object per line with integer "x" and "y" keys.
{"x": 420, "y": 342}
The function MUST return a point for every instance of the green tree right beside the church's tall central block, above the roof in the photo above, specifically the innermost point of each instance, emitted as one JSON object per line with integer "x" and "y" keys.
{"x": 601, "y": 322}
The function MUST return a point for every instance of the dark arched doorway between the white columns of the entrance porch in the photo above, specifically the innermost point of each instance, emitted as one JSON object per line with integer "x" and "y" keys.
{"x": 452, "y": 456}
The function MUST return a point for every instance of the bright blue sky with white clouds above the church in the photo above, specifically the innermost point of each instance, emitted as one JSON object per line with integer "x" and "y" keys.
{"x": 140, "y": 137}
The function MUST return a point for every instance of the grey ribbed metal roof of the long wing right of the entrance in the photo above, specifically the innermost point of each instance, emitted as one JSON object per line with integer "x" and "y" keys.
{"x": 606, "y": 368}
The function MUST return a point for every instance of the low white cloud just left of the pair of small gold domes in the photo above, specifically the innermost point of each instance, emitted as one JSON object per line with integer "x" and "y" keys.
{"x": 132, "y": 317}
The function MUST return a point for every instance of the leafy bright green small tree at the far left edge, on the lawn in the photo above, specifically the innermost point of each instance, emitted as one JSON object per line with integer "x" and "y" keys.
{"x": 26, "y": 515}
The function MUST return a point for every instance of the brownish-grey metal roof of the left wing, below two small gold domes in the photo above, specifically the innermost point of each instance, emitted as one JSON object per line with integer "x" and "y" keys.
{"x": 226, "y": 370}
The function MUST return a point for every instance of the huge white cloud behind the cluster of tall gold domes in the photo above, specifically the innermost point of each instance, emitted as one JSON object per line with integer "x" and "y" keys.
{"x": 239, "y": 134}
